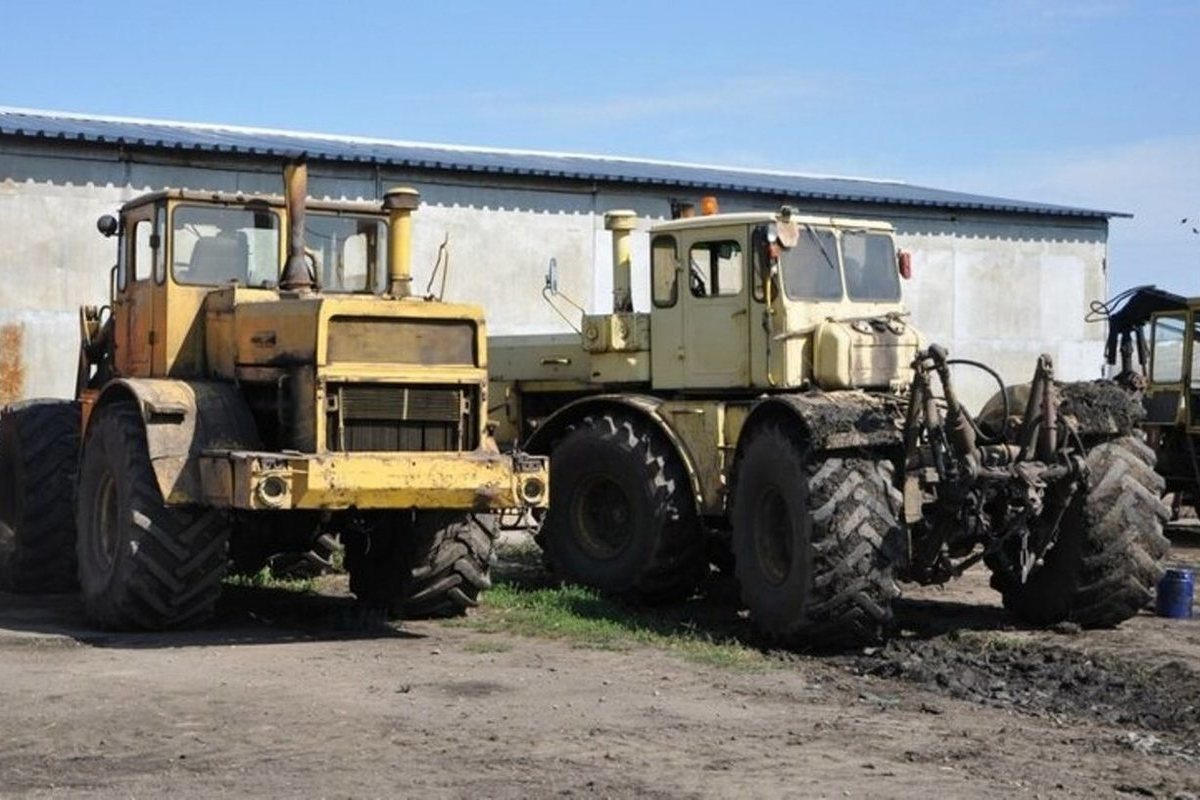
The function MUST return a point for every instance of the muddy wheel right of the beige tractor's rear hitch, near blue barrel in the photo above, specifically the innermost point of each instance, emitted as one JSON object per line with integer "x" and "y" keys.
{"x": 1111, "y": 546}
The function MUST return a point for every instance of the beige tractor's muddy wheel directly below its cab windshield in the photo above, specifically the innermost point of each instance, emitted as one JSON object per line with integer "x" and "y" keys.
{"x": 815, "y": 542}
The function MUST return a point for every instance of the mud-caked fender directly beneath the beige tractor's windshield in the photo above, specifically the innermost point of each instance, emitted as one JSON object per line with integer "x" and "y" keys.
{"x": 837, "y": 422}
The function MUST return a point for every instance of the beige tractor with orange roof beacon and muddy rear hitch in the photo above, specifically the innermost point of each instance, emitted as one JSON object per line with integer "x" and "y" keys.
{"x": 776, "y": 411}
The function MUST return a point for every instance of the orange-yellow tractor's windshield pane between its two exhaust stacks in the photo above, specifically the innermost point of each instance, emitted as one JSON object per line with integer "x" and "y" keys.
{"x": 345, "y": 252}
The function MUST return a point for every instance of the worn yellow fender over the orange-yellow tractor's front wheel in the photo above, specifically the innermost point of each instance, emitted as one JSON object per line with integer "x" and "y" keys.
{"x": 183, "y": 419}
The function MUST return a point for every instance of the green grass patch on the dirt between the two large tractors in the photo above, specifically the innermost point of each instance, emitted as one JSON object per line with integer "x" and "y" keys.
{"x": 587, "y": 619}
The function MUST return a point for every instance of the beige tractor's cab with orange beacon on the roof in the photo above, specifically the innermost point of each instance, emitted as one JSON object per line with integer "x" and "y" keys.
{"x": 778, "y": 300}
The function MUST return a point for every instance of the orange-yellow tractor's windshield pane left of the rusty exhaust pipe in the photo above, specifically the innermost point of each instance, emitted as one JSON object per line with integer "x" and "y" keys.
{"x": 213, "y": 246}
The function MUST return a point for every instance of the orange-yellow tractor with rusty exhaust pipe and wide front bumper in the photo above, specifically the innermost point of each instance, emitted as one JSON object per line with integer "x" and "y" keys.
{"x": 262, "y": 376}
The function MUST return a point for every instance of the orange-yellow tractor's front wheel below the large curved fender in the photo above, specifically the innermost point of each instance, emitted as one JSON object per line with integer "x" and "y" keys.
{"x": 142, "y": 564}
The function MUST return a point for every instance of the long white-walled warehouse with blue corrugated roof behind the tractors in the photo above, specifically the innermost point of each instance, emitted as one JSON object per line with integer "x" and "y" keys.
{"x": 995, "y": 280}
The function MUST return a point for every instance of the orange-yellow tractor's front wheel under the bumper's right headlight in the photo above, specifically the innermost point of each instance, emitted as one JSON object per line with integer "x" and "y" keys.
{"x": 430, "y": 567}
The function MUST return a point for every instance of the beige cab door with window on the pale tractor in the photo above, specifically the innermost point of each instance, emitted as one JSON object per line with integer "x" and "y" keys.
{"x": 716, "y": 299}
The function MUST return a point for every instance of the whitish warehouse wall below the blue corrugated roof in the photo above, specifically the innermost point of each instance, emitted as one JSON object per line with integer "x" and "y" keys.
{"x": 988, "y": 288}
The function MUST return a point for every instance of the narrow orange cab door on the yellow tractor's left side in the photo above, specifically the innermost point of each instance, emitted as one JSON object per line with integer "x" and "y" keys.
{"x": 134, "y": 308}
